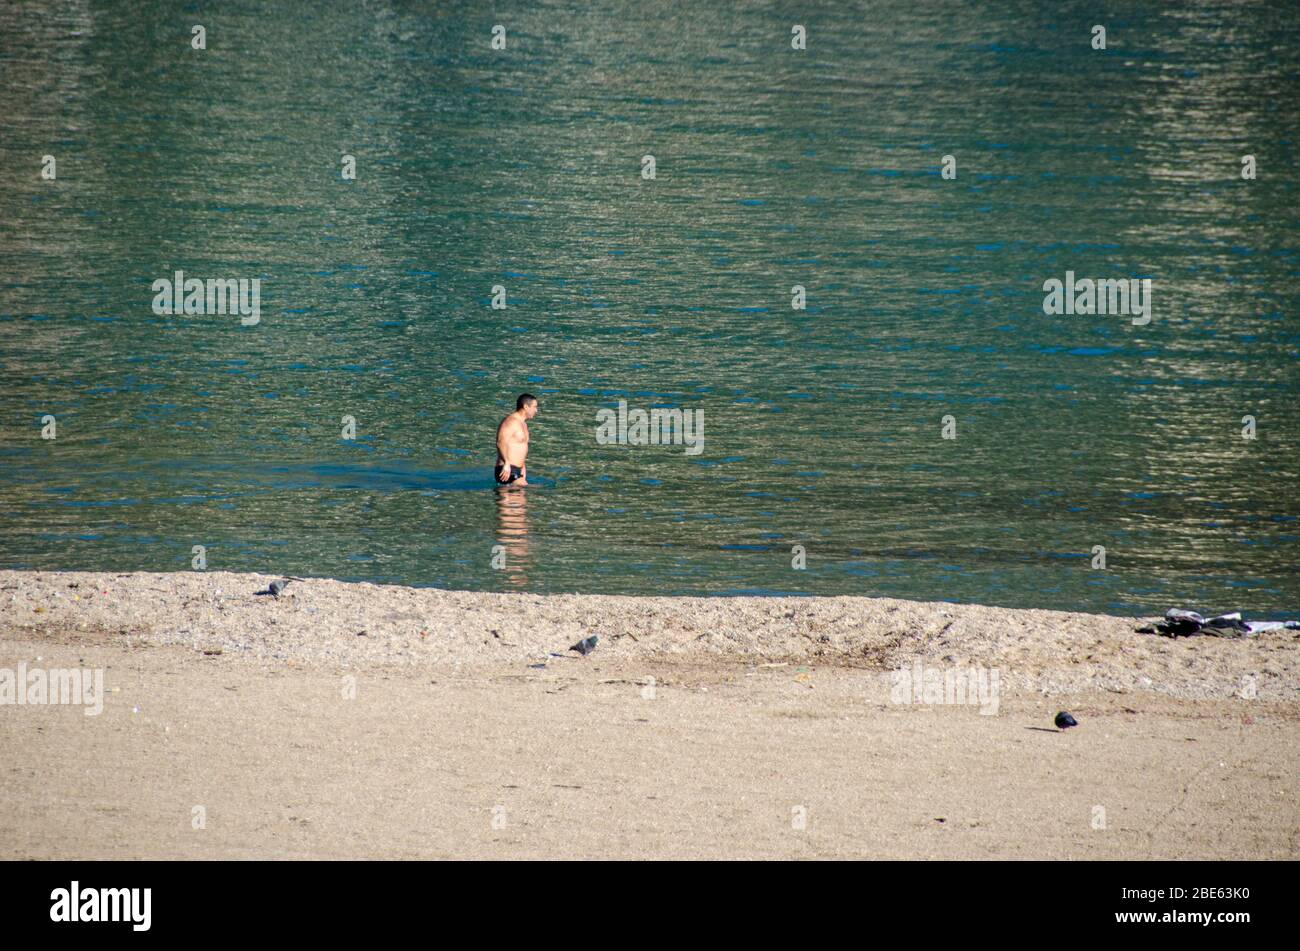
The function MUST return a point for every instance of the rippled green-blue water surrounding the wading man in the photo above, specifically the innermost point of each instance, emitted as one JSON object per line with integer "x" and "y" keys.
{"x": 775, "y": 168}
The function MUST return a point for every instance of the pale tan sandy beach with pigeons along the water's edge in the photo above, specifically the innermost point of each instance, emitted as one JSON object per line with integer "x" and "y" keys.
{"x": 700, "y": 728}
